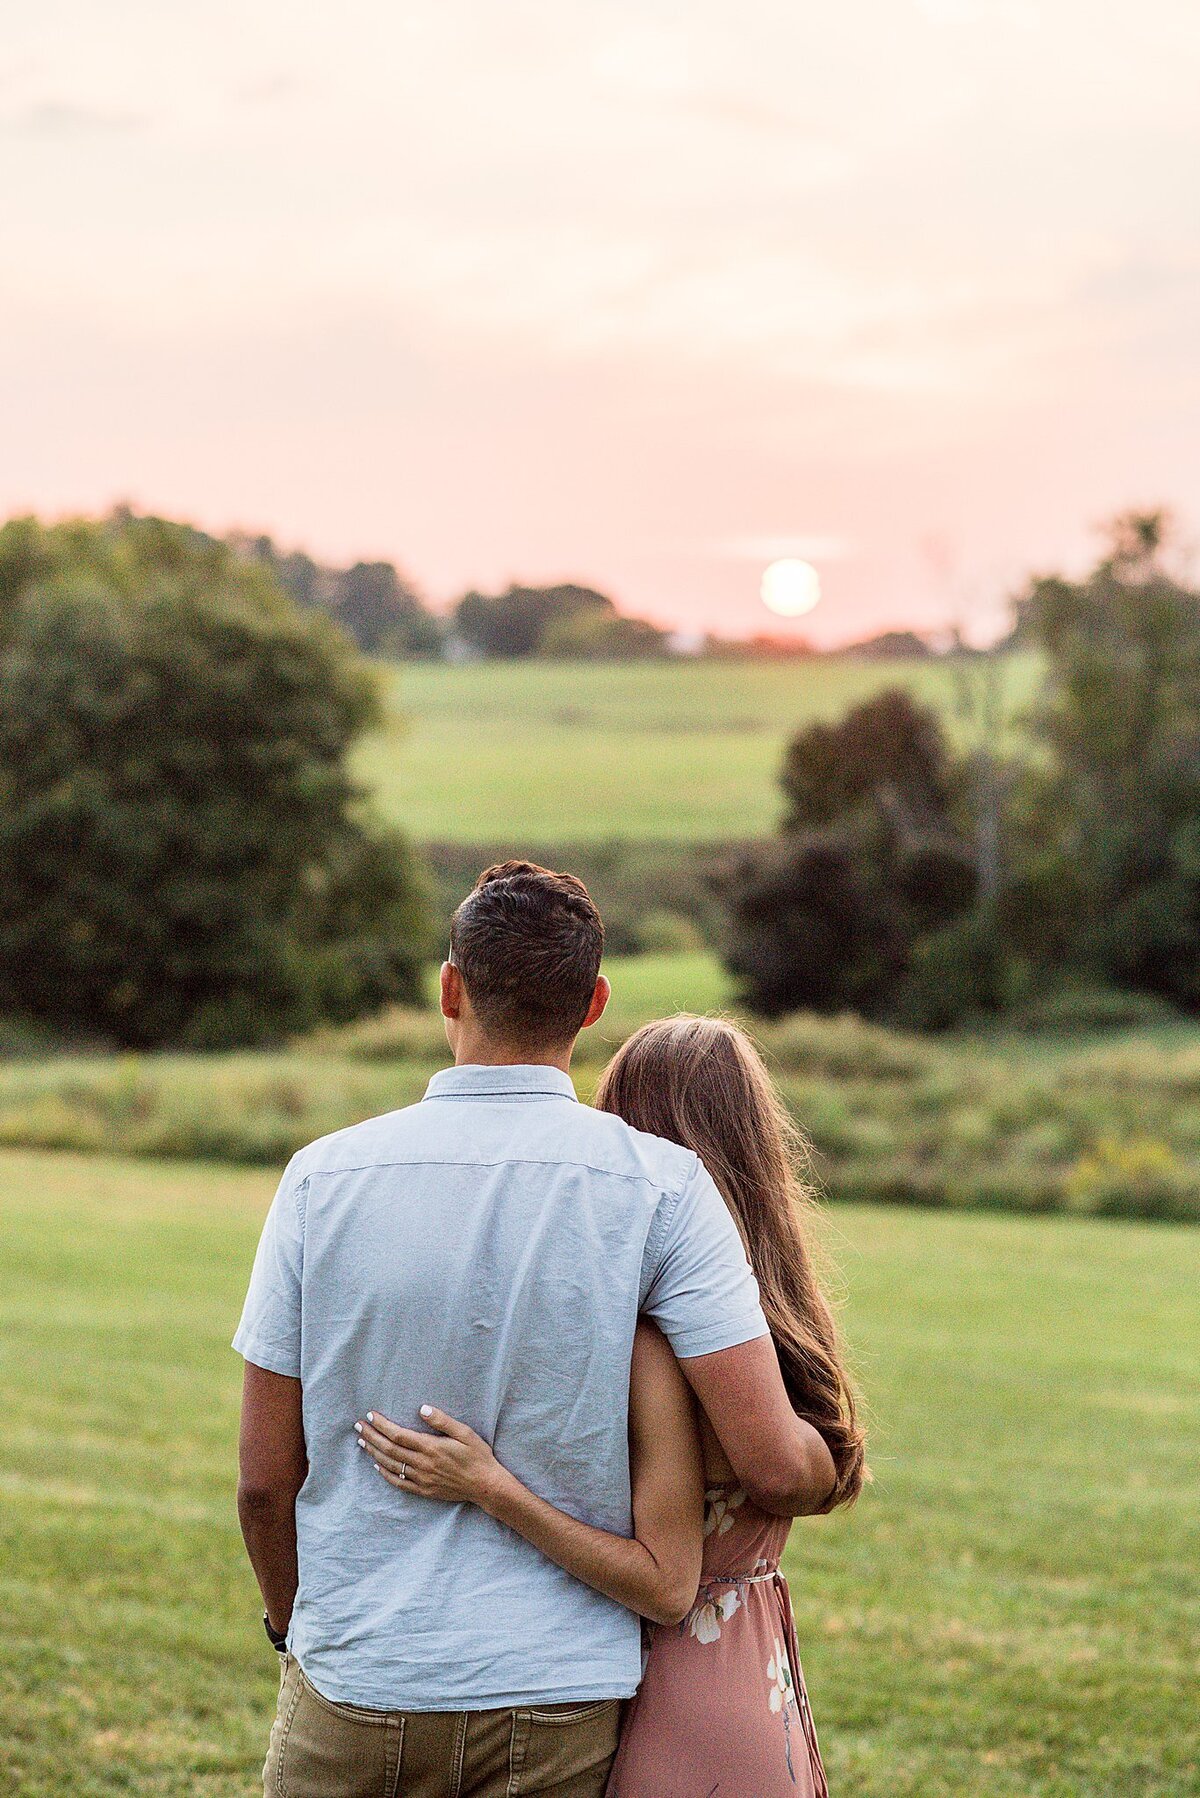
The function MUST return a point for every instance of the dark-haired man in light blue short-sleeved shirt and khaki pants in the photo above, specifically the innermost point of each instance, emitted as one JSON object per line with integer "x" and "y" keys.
{"x": 488, "y": 1252}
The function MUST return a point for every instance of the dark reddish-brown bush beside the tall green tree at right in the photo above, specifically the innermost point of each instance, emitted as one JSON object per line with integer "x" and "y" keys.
{"x": 864, "y": 902}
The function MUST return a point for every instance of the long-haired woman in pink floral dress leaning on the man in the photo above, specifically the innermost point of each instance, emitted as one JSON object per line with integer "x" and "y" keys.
{"x": 722, "y": 1705}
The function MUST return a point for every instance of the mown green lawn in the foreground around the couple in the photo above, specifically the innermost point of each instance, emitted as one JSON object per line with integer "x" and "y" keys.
{"x": 1010, "y": 1614}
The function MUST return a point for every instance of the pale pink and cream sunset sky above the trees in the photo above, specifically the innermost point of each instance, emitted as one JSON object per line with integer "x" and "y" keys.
{"x": 632, "y": 294}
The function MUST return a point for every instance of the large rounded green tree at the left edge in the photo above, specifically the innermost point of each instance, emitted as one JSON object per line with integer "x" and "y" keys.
{"x": 183, "y": 851}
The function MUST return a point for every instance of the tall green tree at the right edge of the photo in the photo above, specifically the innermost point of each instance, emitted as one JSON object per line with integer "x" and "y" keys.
{"x": 1111, "y": 878}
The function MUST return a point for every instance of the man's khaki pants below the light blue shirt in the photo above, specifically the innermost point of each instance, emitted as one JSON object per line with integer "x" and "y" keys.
{"x": 325, "y": 1750}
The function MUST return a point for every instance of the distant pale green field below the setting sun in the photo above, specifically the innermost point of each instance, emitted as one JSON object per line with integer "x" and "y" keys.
{"x": 582, "y": 752}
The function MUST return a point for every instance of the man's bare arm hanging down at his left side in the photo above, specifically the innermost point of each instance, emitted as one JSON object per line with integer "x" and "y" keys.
{"x": 273, "y": 1464}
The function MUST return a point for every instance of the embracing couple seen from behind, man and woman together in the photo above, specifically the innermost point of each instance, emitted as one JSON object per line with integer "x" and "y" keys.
{"x": 533, "y": 1391}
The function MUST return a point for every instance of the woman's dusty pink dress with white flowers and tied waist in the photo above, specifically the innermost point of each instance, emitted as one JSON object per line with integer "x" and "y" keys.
{"x": 722, "y": 1711}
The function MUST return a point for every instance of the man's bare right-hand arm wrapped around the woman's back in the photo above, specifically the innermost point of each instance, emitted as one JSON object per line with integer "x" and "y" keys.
{"x": 780, "y": 1459}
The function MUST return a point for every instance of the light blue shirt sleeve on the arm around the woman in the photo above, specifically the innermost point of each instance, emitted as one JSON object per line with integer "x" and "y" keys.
{"x": 703, "y": 1294}
